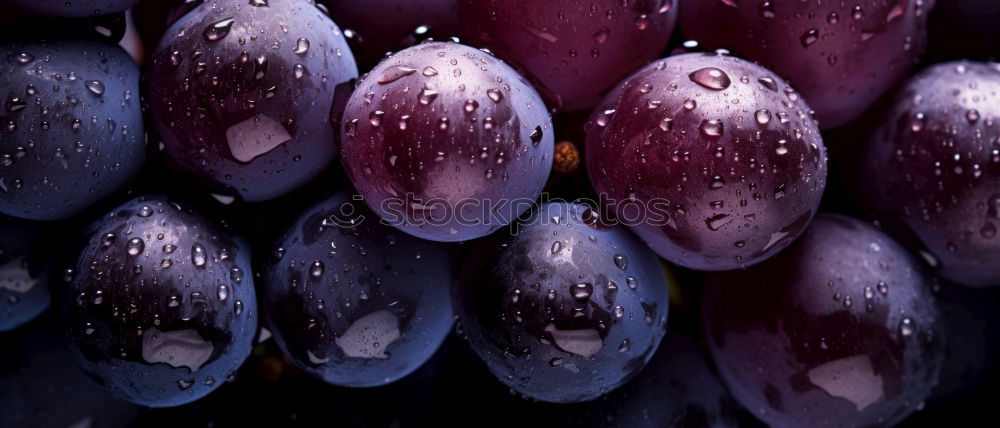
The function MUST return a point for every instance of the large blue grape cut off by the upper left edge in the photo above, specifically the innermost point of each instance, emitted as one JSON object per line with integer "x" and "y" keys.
{"x": 71, "y": 129}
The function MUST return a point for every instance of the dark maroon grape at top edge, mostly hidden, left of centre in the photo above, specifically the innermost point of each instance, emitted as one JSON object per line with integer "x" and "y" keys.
{"x": 385, "y": 25}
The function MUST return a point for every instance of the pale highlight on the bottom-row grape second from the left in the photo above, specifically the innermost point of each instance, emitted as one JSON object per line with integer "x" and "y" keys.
{"x": 370, "y": 335}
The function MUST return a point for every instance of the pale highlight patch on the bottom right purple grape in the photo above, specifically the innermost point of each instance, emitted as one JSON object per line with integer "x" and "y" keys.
{"x": 851, "y": 378}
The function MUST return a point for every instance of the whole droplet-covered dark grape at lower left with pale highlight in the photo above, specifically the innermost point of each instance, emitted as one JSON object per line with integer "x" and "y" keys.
{"x": 162, "y": 303}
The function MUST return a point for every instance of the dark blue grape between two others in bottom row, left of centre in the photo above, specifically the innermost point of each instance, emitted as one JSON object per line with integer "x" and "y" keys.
{"x": 354, "y": 302}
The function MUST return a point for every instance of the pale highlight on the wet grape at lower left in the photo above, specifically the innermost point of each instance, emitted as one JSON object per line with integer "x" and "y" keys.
{"x": 181, "y": 348}
